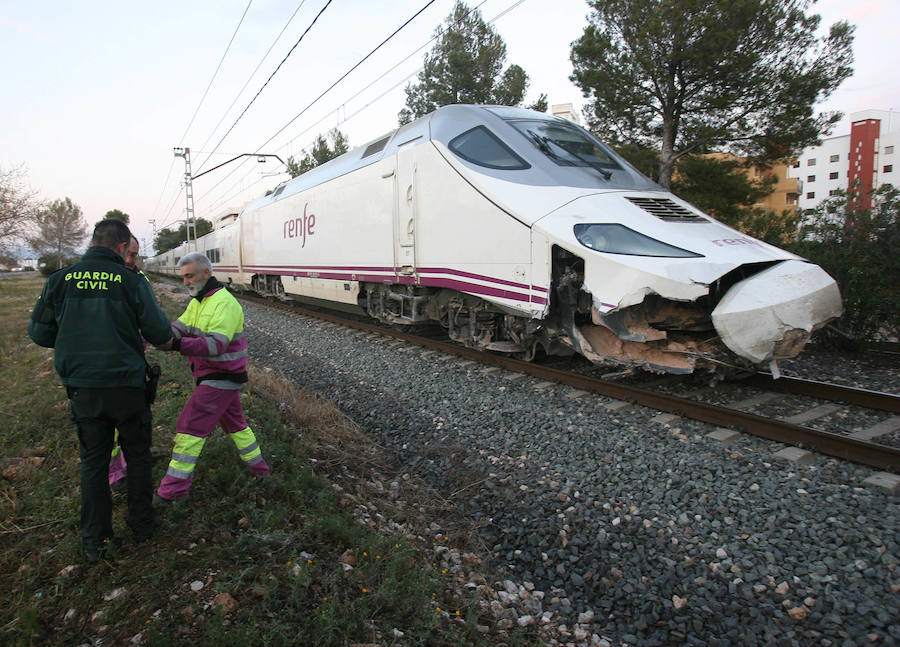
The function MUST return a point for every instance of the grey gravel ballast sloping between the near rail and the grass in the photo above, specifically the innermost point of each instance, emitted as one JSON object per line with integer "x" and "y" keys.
{"x": 649, "y": 533}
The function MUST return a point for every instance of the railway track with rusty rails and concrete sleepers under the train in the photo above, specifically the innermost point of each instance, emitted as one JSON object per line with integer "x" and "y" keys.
{"x": 858, "y": 447}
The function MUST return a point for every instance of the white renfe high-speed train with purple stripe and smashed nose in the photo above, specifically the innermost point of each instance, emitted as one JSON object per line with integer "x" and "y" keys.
{"x": 519, "y": 231}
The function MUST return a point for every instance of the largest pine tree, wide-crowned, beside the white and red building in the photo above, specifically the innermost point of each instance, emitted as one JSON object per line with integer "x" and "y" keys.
{"x": 687, "y": 75}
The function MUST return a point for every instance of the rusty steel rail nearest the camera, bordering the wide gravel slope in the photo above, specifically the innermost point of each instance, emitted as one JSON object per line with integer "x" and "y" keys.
{"x": 875, "y": 455}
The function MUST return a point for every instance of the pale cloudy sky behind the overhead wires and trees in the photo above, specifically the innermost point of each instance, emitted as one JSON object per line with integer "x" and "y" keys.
{"x": 97, "y": 93}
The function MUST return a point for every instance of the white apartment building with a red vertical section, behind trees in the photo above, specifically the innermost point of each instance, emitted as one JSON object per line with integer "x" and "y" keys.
{"x": 866, "y": 154}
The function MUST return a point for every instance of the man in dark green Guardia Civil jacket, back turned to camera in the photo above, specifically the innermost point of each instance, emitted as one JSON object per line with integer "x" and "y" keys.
{"x": 93, "y": 314}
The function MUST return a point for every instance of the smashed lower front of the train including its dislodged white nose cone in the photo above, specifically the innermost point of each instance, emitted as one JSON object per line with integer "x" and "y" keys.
{"x": 764, "y": 317}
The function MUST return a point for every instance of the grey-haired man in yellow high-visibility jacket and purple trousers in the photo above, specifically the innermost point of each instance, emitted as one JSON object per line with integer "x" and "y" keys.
{"x": 211, "y": 334}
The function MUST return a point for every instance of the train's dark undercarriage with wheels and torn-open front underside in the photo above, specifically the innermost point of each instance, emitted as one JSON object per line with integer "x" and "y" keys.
{"x": 656, "y": 334}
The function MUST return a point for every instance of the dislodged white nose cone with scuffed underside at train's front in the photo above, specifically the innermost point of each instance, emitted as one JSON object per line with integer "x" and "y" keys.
{"x": 771, "y": 314}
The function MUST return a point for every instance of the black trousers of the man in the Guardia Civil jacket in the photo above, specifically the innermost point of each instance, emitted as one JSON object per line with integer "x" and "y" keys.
{"x": 97, "y": 412}
